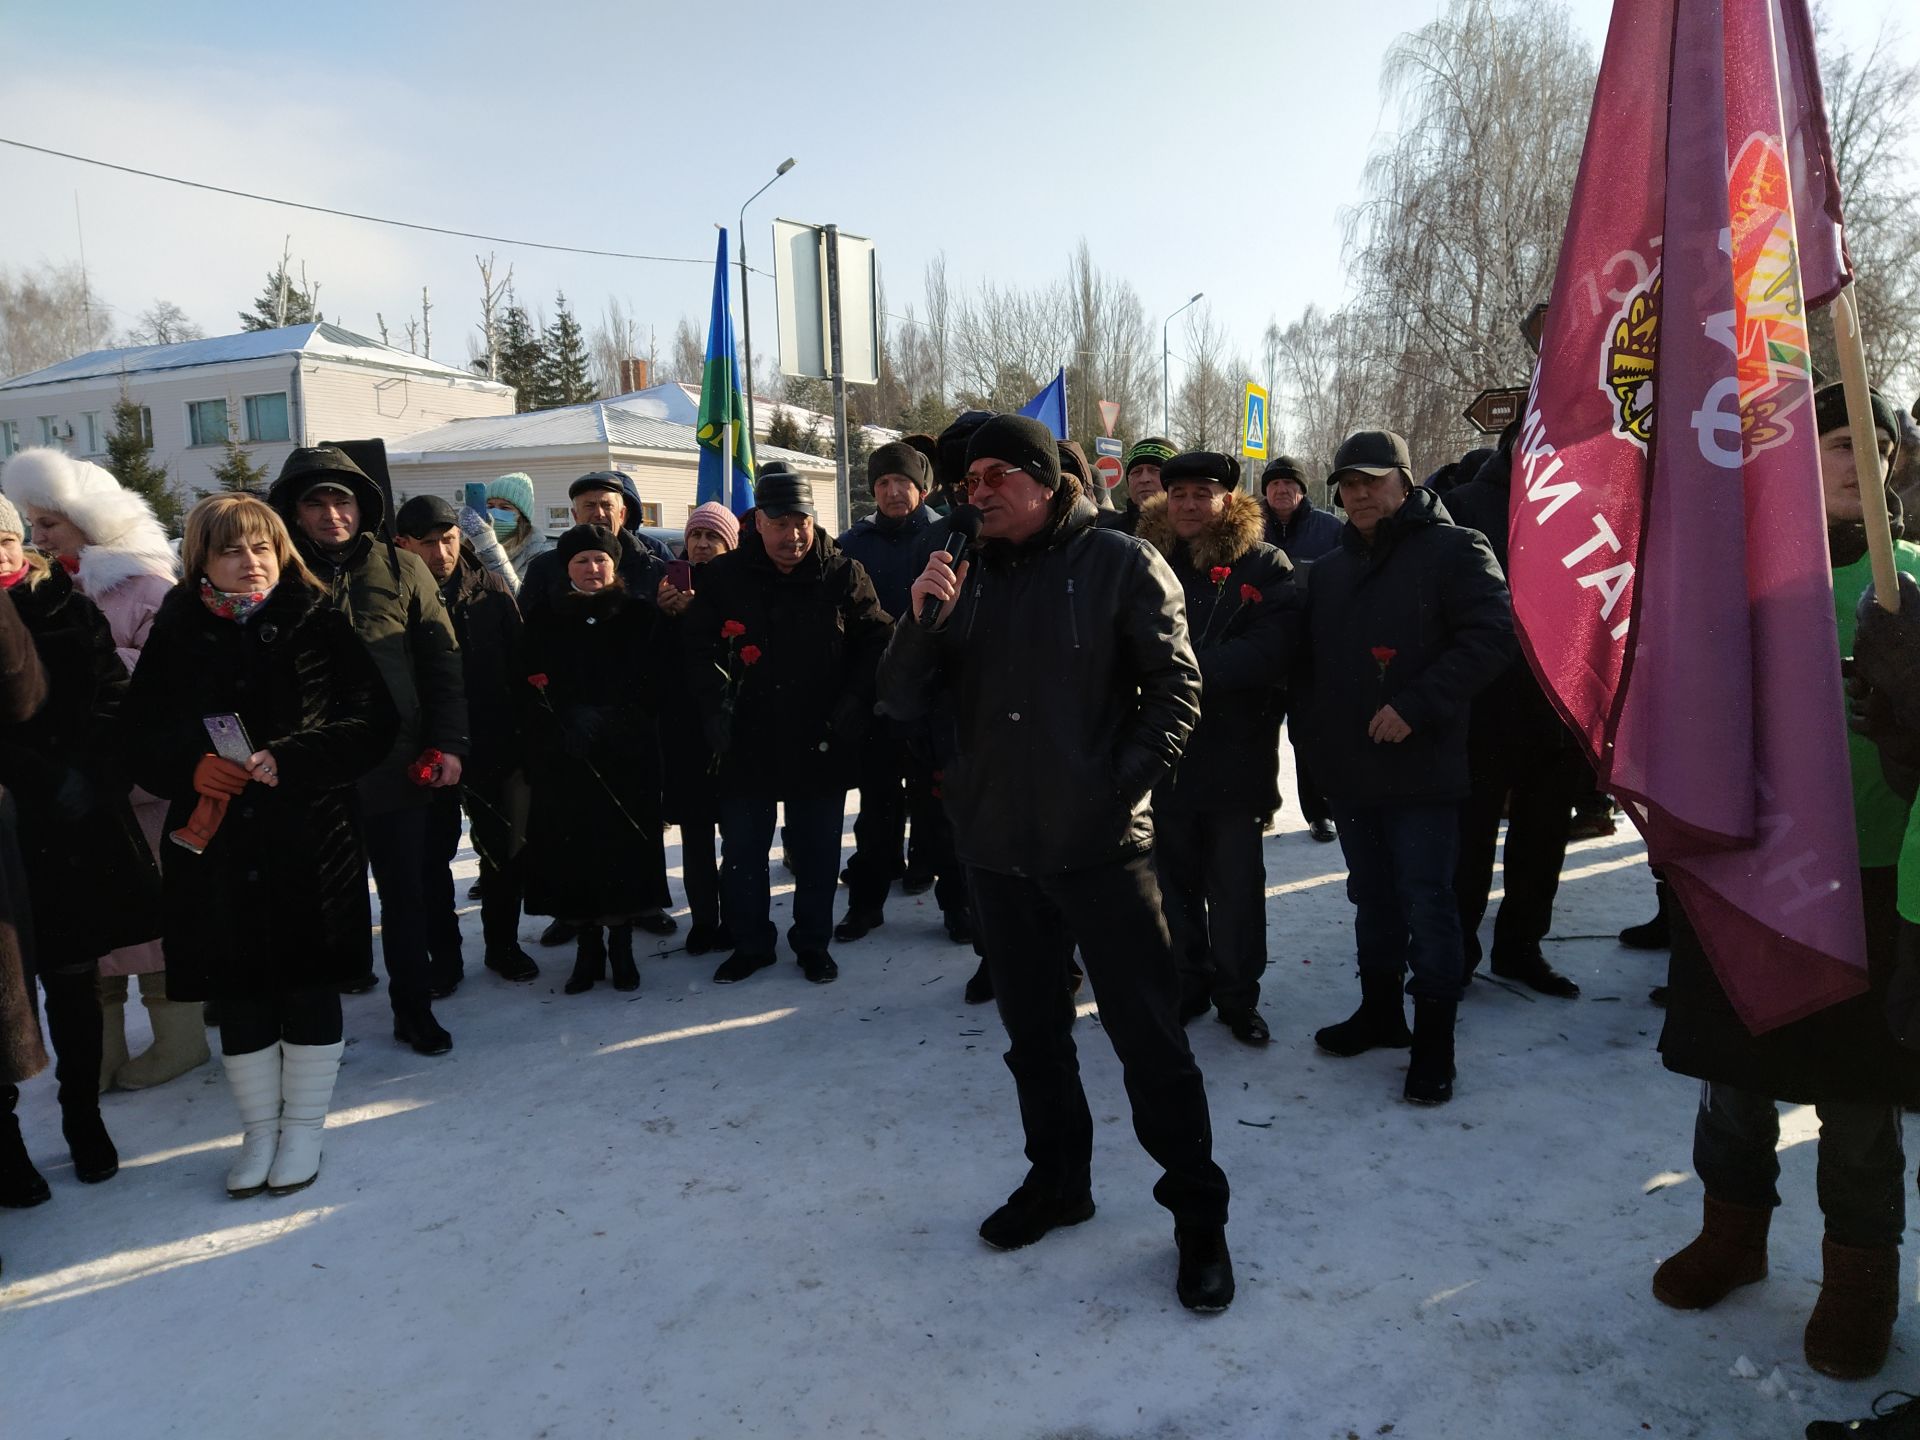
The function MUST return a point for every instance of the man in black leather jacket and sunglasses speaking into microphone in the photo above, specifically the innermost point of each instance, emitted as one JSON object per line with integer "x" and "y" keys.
{"x": 1065, "y": 654}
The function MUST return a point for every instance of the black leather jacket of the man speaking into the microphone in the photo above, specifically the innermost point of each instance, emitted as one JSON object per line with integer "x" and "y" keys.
{"x": 1074, "y": 690}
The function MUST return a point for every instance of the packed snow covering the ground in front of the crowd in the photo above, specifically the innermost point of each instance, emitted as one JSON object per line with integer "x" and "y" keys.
{"x": 752, "y": 1212}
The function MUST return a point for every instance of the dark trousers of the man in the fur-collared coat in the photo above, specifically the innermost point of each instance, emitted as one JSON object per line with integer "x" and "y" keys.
{"x": 1214, "y": 888}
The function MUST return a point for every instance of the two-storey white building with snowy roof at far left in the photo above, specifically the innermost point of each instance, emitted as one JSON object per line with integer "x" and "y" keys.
{"x": 270, "y": 389}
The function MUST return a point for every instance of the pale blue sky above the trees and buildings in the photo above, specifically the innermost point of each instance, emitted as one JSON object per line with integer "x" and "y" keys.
{"x": 1197, "y": 145}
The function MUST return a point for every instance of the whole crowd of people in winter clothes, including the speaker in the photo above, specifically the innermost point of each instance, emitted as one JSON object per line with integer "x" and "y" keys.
{"x": 1063, "y": 719}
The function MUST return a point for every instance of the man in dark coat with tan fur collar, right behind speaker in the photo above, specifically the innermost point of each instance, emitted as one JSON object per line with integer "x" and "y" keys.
{"x": 1211, "y": 811}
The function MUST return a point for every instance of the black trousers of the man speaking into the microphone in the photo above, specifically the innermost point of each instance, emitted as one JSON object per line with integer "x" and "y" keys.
{"x": 1030, "y": 928}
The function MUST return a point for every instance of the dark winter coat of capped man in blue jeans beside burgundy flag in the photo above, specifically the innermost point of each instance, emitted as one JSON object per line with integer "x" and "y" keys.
{"x": 1420, "y": 621}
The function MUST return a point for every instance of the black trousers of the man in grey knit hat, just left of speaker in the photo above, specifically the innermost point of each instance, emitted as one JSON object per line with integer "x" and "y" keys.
{"x": 898, "y": 788}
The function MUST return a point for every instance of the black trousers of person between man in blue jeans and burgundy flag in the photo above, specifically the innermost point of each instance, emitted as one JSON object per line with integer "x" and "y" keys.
{"x": 1537, "y": 784}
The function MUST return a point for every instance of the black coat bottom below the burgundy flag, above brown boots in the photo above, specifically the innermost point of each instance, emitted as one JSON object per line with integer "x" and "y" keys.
{"x": 1842, "y": 1053}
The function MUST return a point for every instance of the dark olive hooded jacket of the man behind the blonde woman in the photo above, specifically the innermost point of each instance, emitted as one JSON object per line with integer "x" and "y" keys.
{"x": 395, "y": 608}
